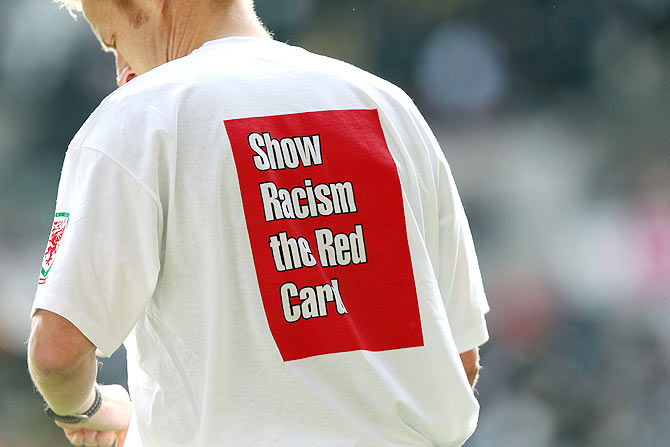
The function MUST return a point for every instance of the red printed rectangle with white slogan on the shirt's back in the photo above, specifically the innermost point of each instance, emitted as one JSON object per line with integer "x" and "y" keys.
{"x": 324, "y": 211}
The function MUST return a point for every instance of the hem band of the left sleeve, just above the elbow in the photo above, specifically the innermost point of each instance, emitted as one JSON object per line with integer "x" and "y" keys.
{"x": 91, "y": 330}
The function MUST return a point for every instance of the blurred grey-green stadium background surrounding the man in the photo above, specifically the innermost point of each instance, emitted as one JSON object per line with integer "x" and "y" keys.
{"x": 555, "y": 118}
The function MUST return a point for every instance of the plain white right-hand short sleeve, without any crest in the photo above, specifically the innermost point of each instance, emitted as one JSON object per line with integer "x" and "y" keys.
{"x": 458, "y": 274}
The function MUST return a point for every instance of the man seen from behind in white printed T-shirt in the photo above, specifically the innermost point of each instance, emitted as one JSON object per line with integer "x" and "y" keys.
{"x": 276, "y": 238}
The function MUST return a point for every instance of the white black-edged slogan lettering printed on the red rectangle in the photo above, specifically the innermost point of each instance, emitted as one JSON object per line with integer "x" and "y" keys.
{"x": 309, "y": 200}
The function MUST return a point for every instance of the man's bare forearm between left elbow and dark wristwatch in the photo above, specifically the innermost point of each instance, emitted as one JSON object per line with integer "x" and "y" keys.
{"x": 67, "y": 391}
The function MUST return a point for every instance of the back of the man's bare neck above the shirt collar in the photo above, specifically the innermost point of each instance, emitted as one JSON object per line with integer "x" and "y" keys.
{"x": 189, "y": 24}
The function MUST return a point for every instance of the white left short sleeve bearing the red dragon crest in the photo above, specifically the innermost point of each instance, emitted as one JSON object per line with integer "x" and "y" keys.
{"x": 104, "y": 261}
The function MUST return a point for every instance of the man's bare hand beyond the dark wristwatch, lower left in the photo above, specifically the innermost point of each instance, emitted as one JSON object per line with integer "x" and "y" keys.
{"x": 108, "y": 425}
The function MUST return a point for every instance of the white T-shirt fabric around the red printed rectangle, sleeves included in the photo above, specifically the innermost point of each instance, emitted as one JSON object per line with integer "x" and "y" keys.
{"x": 156, "y": 253}
